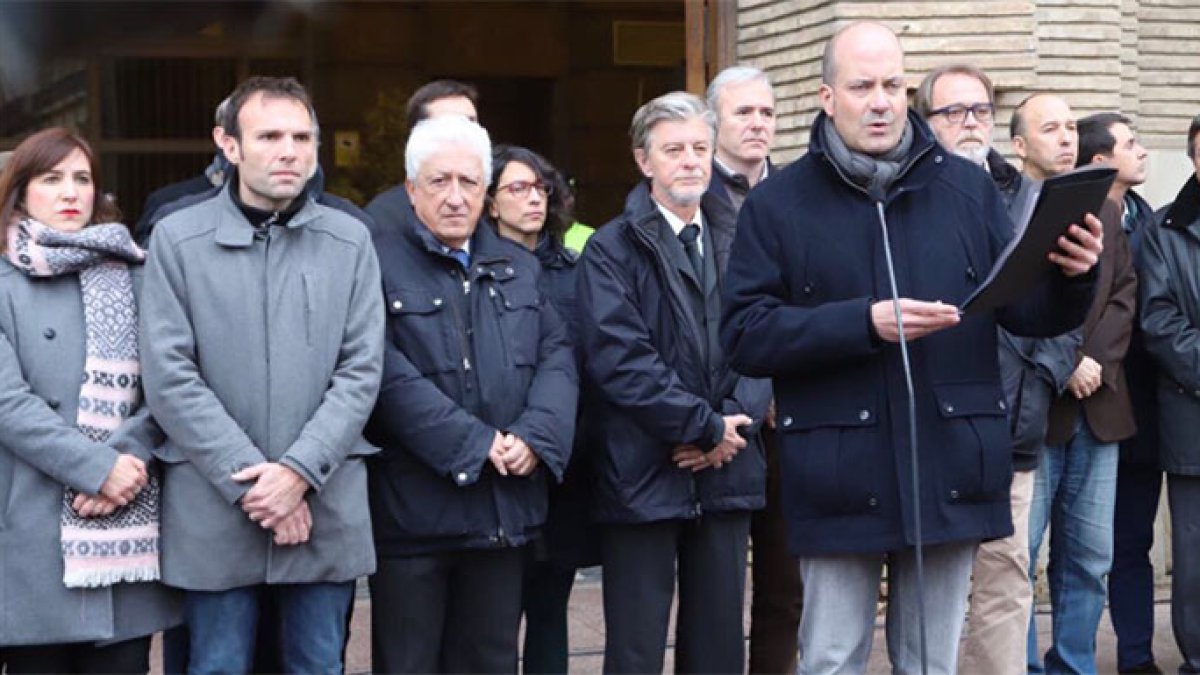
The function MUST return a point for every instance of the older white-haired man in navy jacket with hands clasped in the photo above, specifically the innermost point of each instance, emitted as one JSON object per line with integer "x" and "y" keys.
{"x": 476, "y": 415}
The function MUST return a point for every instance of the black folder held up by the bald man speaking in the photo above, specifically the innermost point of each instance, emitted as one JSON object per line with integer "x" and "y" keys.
{"x": 1046, "y": 216}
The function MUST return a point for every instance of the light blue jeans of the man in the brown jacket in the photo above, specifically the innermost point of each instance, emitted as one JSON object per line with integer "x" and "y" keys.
{"x": 1075, "y": 493}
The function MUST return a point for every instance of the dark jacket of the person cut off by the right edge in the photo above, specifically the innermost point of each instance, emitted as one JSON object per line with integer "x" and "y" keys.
{"x": 1169, "y": 274}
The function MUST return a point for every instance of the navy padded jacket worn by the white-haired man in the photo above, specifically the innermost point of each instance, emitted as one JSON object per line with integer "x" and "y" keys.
{"x": 467, "y": 355}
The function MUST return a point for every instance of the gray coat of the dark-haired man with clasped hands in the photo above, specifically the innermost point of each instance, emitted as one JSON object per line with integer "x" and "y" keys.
{"x": 263, "y": 348}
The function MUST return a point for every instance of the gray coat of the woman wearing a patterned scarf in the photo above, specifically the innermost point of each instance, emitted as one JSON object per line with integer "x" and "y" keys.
{"x": 43, "y": 349}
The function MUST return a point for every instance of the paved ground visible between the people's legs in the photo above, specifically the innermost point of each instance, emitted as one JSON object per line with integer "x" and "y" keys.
{"x": 587, "y": 635}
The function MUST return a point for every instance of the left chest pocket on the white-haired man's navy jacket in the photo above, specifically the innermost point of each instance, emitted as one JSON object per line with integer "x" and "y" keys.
{"x": 419, "y": 325}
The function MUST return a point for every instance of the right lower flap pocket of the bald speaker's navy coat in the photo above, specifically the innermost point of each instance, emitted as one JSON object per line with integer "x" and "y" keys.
{"x": 977, "y": 445}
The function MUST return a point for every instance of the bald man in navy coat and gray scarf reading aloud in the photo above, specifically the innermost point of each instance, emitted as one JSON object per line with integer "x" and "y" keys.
{"x": 803, "y": 306}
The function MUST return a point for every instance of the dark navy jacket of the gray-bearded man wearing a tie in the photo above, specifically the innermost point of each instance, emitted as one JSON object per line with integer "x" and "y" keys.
{"x": 649, "y": 391}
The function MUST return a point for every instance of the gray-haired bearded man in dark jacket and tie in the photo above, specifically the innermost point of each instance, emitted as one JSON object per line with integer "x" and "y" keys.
{"x": 680, "y": 468}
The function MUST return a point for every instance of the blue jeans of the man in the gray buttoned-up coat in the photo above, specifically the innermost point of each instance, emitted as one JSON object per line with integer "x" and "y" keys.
{"x": 313, "y": 628}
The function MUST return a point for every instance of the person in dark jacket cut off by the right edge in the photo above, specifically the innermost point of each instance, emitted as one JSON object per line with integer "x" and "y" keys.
{"x": 1171, "y": 325}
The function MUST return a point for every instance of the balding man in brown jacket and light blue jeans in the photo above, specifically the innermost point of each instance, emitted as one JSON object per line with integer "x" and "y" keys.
{"x": 1076, "y": 482}
